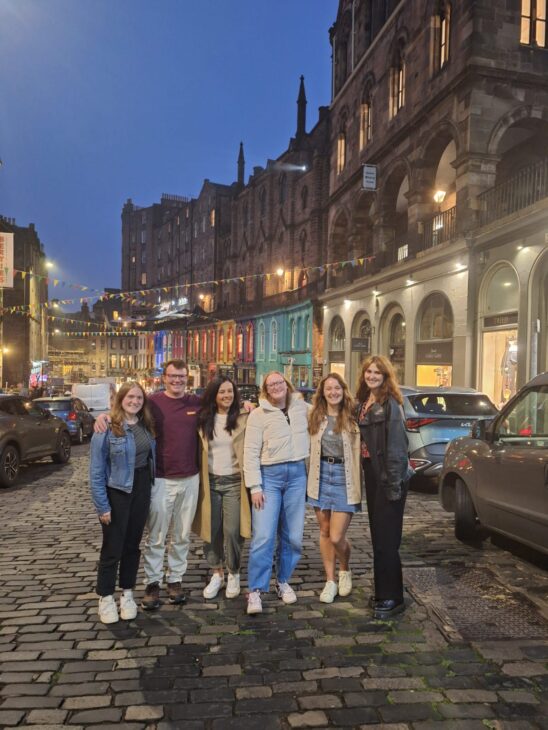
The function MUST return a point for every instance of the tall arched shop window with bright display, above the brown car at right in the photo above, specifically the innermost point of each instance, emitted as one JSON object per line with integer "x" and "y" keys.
{"x": 499, "y": 338}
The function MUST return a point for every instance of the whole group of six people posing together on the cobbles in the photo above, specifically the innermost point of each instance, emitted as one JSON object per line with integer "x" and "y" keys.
{"x": 229, "y": 472}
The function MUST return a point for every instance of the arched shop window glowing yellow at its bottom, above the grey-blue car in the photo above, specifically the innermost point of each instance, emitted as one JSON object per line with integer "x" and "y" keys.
{"x": 434, "y": 348}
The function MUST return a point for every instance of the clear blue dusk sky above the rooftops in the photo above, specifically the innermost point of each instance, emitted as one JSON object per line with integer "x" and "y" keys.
{"x": 104, "y": 100}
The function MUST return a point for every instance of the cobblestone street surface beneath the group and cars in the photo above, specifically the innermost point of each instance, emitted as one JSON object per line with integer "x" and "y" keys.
{"x": 471, "y": 651}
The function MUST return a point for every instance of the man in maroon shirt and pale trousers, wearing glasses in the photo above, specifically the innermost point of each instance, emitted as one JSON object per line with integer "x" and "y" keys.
{"x": 175, "y": 491}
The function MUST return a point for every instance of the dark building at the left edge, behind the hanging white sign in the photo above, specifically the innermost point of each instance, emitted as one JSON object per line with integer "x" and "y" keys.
{"x": 24, "y": 332}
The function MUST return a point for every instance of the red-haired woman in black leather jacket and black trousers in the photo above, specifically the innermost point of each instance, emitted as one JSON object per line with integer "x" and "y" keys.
{"x": 386, "y": 472}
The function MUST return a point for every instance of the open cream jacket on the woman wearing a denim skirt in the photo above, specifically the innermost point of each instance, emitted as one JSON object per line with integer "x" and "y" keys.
{"x": 352, "y": 464}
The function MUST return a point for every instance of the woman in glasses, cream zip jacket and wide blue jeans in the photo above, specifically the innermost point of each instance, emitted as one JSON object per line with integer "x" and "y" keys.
{"x": 276, "y": 446}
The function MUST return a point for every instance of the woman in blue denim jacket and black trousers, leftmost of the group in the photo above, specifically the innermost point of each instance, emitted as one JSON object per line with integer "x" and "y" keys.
{"x": 122, "y": 464}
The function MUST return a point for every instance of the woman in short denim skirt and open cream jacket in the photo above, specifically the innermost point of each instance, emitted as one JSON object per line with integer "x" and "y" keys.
{"x": 334, "y": 478}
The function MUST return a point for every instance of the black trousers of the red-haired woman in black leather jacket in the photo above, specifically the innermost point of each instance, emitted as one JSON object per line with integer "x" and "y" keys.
{"x": 386, "y": 525}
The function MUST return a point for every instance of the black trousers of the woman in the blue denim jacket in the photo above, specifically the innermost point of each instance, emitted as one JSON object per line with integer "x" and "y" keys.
{"x": 121, "y": 539}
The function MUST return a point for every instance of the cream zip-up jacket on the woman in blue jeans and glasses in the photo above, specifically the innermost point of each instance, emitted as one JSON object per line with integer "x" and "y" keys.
{"x": 270, "y": 439}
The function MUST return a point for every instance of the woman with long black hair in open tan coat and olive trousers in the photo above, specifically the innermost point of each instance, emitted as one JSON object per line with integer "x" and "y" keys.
{"x": 222, "y": 517}
